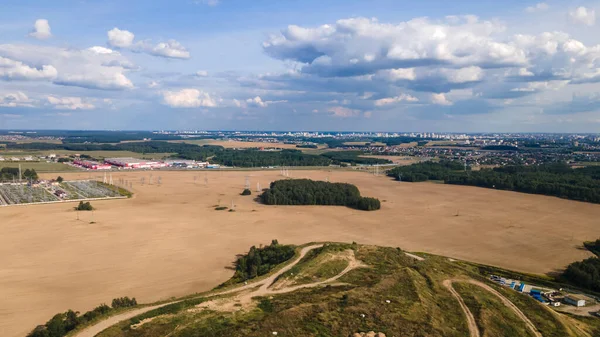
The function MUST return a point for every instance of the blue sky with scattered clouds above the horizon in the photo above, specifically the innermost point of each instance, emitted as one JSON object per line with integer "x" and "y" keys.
{"x": 333, "y": 65}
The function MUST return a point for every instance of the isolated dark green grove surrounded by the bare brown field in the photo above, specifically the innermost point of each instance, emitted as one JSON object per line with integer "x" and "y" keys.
{"x": 310, "y": 192}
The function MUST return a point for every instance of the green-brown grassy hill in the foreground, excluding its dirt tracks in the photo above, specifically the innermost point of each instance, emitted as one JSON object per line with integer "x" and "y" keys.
{"x": 394, "y": 294}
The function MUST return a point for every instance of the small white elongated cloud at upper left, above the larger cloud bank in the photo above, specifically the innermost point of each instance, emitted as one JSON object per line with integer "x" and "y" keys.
{"x": 125, "y": 39}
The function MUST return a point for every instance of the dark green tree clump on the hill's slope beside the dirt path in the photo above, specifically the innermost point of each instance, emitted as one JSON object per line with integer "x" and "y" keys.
{"x": 260, "y": 261}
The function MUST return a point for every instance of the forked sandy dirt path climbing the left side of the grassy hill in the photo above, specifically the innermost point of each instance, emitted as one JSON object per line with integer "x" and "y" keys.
{"x": 100, "y": 326}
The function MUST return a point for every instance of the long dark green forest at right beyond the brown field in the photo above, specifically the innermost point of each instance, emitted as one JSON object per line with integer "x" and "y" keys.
{"x": 559, "y": 179}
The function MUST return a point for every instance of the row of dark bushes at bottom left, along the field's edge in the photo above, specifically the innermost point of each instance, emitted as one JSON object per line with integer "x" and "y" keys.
{"x": 61, "y": 324}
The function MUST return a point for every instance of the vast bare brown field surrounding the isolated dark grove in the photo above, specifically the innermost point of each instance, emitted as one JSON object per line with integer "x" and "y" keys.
{"x": 169, "y": 241}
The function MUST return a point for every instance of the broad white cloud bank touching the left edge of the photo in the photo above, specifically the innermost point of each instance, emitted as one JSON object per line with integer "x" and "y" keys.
{"x": 72, "y": 67}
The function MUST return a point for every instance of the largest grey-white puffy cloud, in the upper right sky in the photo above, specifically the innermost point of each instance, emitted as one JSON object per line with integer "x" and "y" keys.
{"x": 360, "y": 46}
